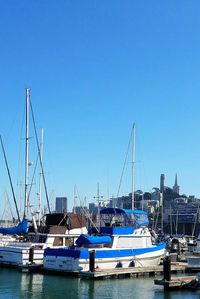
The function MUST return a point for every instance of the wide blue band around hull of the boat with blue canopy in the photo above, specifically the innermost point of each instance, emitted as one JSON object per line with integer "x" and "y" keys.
{"x": 109, "y": 253}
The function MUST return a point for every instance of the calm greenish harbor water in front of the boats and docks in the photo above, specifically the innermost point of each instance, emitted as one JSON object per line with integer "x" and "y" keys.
{"x": 15, "y": 284}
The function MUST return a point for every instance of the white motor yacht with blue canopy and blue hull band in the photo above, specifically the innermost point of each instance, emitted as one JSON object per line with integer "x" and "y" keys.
{"x": 124, "y": 241}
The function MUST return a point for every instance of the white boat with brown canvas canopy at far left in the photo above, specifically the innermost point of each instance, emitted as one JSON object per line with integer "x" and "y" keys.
{"x": 60, "y": 230}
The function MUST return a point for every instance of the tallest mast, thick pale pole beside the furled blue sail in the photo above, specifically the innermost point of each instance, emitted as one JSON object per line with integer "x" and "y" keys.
{"x": 26, "y": 152}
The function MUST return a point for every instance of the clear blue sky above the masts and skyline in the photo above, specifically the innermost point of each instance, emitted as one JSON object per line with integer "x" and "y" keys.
{"x": 94, "y": 68}
